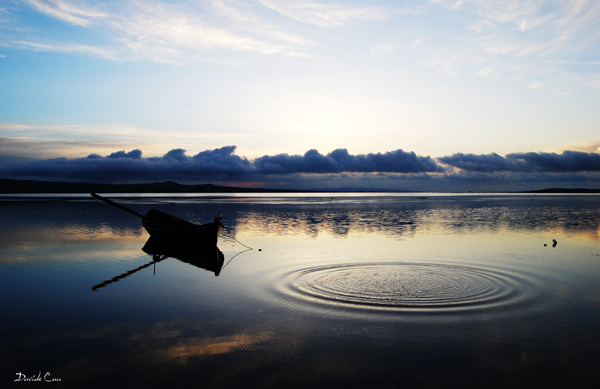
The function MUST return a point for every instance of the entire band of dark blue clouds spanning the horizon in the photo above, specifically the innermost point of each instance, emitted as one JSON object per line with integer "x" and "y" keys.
{"x": 394, "y": 170}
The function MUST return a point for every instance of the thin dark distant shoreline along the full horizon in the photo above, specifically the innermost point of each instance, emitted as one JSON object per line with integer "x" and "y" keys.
{"x": 9, "y": 186}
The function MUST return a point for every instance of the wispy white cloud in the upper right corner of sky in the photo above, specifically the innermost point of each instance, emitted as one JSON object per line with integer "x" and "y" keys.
{"x": 533, "y": 36}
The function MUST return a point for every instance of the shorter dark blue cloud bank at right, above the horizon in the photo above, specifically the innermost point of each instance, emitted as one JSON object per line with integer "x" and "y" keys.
{"x": 567, "y": 162}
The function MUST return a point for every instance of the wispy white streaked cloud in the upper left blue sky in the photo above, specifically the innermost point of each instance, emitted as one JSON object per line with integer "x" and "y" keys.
{"x": 180, "y": 31}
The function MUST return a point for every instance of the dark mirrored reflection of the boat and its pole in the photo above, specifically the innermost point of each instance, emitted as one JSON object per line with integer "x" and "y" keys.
{"x": 204, "y": 256}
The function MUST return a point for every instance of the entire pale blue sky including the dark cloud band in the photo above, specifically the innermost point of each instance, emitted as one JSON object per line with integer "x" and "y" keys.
{"x": 425, "y": 95}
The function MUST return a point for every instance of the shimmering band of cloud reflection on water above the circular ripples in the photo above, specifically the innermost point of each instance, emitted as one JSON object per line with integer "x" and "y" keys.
{"x": 399, "y": 223}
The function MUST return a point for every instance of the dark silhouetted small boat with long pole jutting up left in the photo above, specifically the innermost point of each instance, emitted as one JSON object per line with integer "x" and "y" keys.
{"x": 165, "y": 226}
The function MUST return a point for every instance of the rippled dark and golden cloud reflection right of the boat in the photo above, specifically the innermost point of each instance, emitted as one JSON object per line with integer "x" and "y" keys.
{"x": 405, "y": 217}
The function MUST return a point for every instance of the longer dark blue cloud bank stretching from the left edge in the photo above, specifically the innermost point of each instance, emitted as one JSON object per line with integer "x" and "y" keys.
{"x": 219, "y": 163}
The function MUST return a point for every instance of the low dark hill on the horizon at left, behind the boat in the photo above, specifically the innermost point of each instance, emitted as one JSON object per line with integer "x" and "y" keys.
{"x": 8, "y": 186}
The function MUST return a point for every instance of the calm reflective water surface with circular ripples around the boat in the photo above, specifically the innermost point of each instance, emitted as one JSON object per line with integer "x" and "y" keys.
{"x": 416, "y": 290}
